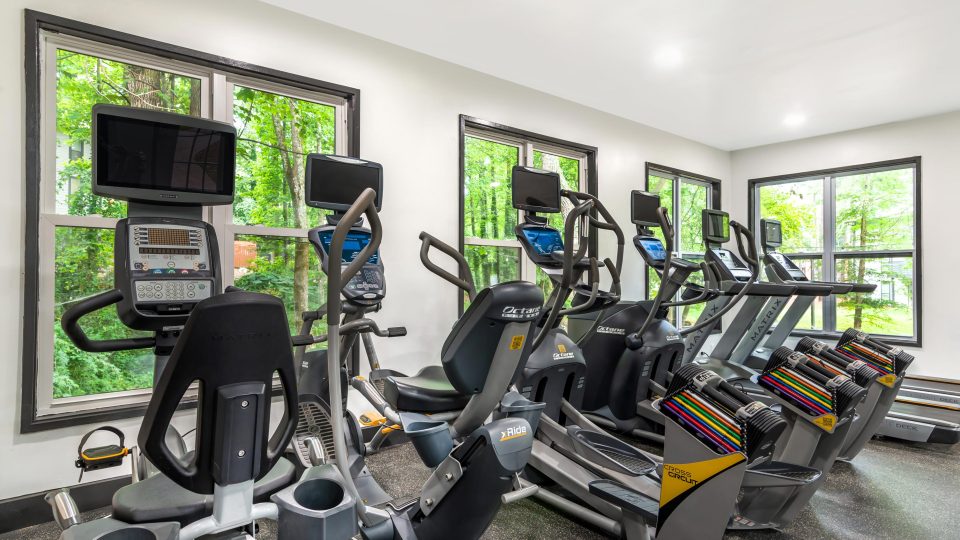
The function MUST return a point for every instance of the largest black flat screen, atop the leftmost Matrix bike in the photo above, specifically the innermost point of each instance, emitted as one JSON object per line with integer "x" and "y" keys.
{"x": 154, "y": 156}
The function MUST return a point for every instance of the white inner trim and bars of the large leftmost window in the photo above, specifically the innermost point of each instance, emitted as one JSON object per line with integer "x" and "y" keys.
{"x": 216, "y": 93}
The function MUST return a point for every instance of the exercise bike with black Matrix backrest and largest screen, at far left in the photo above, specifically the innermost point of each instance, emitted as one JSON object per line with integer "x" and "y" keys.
{"x": 167, "y": 279}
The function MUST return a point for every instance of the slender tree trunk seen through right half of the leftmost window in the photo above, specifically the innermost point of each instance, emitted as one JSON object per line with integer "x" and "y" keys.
{"x": 293, "y": 176}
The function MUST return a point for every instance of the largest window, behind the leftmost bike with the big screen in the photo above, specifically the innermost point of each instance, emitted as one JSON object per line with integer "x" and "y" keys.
{"x": 262, "y": 236}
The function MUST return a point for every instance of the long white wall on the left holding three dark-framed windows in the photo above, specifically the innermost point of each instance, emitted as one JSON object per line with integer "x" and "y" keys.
{"x": 409, "y": 120}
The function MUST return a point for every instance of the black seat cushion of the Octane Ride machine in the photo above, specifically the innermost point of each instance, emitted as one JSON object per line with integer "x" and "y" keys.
{"x": 428, "y": 391}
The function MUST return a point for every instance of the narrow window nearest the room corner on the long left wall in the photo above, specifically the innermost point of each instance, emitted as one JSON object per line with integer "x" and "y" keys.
{"x": 685, "y": 196}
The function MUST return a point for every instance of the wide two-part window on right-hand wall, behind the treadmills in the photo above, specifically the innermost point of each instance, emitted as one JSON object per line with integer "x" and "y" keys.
{"x": 857, "y": 224}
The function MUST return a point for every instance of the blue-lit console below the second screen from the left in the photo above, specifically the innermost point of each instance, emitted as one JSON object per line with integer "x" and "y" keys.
{"x": 368, "y": 286}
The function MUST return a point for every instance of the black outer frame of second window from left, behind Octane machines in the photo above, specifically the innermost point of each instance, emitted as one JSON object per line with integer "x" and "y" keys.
{"x": 467, "y": 122}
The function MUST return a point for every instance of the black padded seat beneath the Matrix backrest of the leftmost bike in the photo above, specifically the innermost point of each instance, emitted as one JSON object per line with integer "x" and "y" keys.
{"x": 158, "y": 498}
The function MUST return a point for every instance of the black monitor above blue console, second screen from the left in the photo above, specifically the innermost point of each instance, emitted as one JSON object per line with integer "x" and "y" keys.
{"x": 335, "y": 182}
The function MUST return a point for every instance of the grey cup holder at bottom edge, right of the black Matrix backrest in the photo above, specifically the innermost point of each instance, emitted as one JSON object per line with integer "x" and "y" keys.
{"x": 316, "y": 507}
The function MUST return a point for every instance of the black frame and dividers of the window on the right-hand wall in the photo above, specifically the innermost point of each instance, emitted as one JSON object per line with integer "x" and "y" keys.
{"x": 916, "y": 162}
